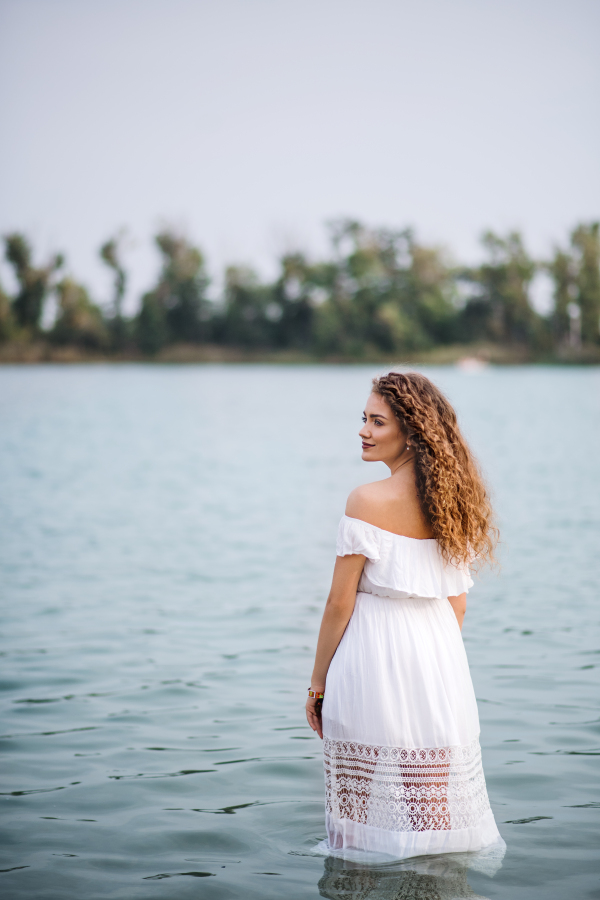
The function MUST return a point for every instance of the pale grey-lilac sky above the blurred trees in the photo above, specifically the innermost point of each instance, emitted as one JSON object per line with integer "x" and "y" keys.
{"x": 249, "y": 124}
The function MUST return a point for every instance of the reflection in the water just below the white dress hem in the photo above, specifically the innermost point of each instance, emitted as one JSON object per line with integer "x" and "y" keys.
{"x": 429, "y": 879}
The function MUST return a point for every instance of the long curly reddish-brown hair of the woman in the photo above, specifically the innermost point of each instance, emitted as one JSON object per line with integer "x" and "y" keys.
{"x": 451, "y": 490}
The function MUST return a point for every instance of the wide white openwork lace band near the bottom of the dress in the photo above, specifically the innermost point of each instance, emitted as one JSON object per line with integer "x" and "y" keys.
{"x": 405, "y": 789}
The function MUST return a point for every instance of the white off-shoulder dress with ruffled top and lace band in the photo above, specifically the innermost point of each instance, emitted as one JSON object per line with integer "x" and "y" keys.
{"x": 403, "y": 770}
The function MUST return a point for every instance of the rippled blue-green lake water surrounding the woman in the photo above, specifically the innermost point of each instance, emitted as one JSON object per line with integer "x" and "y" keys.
{"x": 167, "y": 540}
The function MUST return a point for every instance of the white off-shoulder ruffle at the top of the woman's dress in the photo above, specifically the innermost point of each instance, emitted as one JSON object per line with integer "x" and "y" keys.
{"x": 399, "y": 566}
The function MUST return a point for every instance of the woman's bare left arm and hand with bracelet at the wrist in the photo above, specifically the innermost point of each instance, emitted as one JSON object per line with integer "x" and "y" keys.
{"x": 338, "y": 610}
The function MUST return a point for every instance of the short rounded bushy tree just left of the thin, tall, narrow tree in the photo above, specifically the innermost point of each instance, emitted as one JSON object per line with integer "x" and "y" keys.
{"x": 79, "y": 321}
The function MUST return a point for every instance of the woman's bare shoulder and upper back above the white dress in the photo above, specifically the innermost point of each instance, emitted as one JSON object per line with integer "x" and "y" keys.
{"x": 391, "y": 505}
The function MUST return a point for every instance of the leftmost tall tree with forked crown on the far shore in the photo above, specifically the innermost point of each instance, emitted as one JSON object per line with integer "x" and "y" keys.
{"x": 34, "y": 282}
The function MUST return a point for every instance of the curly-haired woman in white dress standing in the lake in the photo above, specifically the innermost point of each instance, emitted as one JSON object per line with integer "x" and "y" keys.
{"x": 399, "y": 719}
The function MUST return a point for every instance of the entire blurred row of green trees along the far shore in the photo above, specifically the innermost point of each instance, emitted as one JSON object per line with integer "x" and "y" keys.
{"x": 378, "y": 291}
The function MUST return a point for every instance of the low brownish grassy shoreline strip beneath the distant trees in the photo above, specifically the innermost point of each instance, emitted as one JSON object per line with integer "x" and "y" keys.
{"x": 469, "y": 355}
